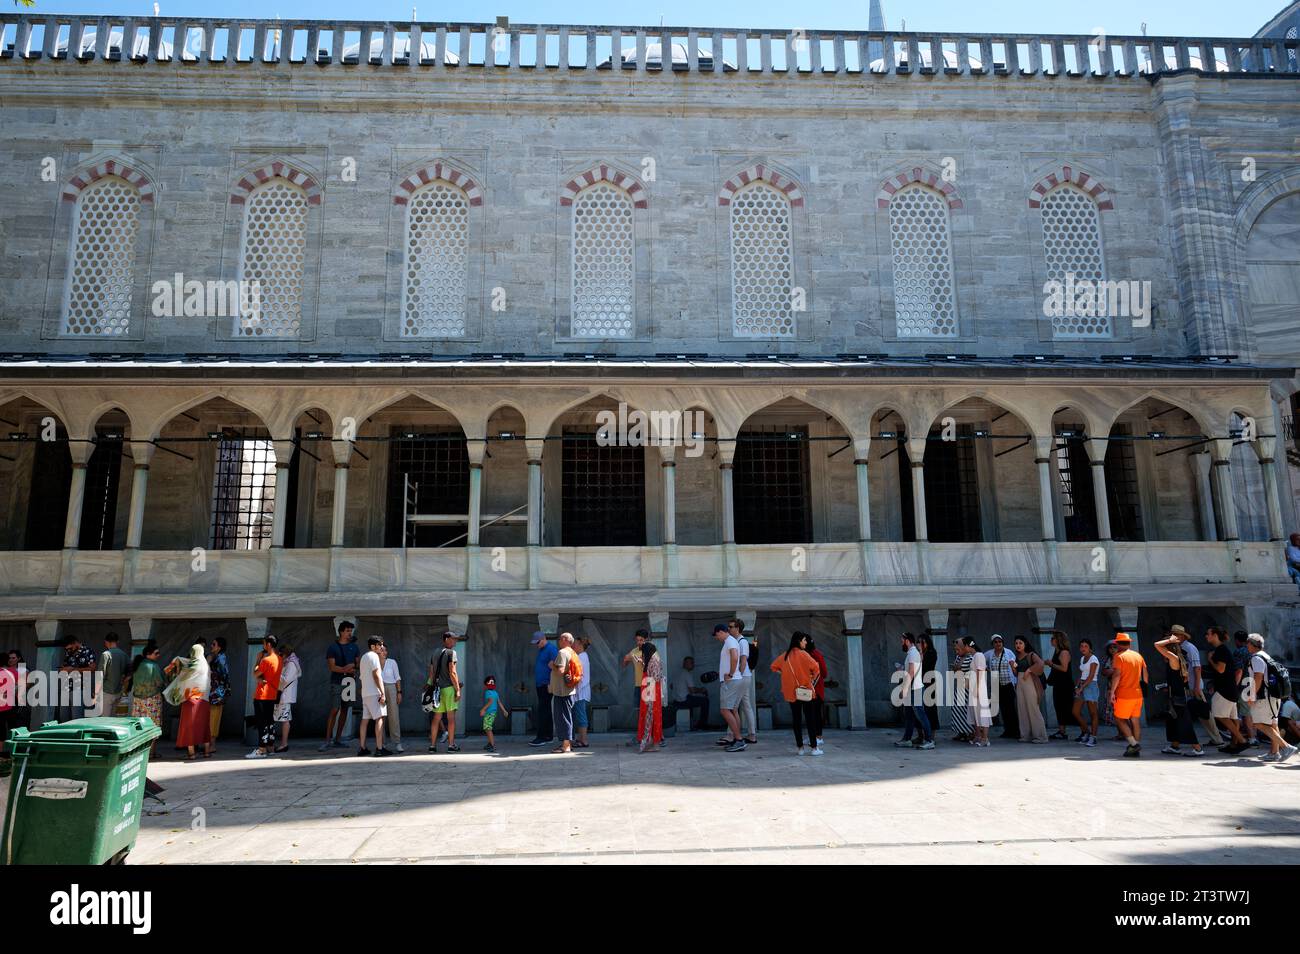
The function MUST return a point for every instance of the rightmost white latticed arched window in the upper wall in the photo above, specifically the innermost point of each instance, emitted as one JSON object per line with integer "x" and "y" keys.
{"x": 1072, "y": 242}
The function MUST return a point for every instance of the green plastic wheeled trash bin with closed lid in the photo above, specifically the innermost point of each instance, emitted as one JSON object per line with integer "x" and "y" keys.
{"x": 76, "y": 791}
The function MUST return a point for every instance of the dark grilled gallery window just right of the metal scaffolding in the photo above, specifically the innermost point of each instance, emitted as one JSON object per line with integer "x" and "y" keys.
{"x": 604, "y": 492}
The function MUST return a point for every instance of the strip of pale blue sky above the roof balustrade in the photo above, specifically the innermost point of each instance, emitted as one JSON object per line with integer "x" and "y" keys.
{"x": 1116, "y": 18}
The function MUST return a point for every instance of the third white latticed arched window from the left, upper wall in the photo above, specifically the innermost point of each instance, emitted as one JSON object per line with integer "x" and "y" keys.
{"x": 437, "y": 262}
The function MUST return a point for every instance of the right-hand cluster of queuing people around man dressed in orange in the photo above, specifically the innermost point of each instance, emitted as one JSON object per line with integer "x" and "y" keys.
{"x": 1243, "y": 693}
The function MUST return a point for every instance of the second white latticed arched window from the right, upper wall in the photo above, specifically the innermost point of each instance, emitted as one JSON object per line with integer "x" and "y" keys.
{"x": 925, "y": 303}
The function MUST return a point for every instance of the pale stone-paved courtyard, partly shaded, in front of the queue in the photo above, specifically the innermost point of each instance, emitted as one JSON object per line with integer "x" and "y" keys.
{"x": 864, "y": 803}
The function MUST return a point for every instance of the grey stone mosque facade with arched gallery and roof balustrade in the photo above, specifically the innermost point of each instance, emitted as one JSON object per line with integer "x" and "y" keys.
{"x": 1182, "y": 179}
